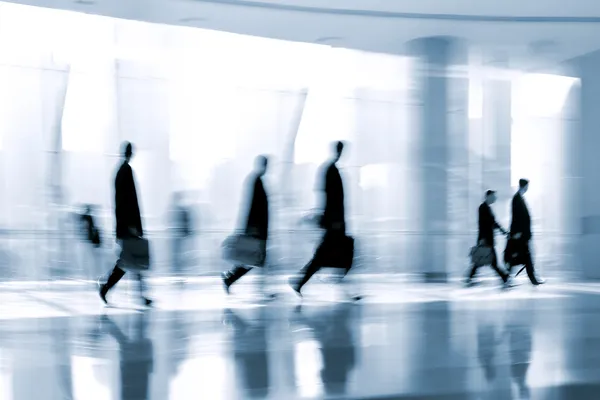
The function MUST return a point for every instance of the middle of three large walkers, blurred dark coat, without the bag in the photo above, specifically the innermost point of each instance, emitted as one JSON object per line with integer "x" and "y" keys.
{"x": 256, "y": 218}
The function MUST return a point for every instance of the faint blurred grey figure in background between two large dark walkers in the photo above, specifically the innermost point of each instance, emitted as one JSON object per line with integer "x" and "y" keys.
{"x": 181, "y": 232}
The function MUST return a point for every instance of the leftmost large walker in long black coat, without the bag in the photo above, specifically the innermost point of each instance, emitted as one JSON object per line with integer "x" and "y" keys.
{"x": 128, "y": 222}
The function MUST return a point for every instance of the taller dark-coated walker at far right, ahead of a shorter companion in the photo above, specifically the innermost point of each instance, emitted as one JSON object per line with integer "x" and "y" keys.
{"x": 517, "y": 250}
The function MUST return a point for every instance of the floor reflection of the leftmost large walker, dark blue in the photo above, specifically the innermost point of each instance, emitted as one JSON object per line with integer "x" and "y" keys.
{"x": 136, "y": 357}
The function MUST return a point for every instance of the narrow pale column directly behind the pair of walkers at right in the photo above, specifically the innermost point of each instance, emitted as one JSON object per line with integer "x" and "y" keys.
{"x": 497, "y": 125}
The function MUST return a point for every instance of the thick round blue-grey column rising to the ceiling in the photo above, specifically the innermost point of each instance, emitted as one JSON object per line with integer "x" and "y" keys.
{"x": 440, "y": 134}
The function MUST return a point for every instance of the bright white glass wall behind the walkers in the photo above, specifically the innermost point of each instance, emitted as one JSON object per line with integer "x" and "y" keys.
{"x": 199, "y": 106}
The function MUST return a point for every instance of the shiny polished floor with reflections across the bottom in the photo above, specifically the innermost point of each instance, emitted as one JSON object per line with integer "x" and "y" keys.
{"x": 403, "y": 341}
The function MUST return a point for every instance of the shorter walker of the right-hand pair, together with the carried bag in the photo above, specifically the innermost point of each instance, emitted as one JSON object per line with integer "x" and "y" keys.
{"x": 485, "y": 240}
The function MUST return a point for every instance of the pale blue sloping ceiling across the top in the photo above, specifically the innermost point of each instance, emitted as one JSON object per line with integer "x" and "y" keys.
{"x": 533, "y": 34}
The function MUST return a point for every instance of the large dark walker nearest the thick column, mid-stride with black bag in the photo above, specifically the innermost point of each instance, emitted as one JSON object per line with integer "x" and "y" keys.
{"x": 336, "y": 250}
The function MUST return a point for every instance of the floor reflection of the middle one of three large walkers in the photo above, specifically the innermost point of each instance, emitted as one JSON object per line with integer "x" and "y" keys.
{"x": 249, "y": 346}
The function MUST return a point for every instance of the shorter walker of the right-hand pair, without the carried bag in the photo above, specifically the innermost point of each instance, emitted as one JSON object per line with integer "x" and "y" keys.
{"x": 487, "y": 228}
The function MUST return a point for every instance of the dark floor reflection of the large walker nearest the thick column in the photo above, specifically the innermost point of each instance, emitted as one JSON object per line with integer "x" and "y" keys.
{"x": 338, "y": 349}
